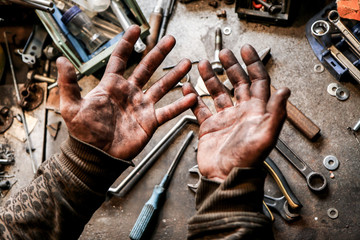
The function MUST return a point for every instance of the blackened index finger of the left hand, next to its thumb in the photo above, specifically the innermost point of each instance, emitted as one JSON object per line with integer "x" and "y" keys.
{"x": 120, "y": 55}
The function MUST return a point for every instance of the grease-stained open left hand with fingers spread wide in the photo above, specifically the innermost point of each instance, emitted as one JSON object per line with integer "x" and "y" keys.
{"x": 116, "y": 116}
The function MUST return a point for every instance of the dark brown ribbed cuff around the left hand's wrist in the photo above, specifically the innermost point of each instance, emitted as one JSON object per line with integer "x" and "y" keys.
{"x": 94, "y": 167}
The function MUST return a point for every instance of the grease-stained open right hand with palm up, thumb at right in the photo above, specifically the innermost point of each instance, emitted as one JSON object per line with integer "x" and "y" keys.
{"x": 240, "y": 135}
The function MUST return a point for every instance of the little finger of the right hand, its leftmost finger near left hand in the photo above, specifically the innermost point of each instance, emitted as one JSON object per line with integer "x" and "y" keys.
{"x": 200, "y": 110}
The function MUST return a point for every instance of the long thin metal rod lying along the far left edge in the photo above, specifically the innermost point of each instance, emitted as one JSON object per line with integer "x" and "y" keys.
{"x": 29, "y": 143}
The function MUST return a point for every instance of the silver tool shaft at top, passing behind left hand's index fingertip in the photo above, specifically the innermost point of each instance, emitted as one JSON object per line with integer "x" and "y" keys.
{"x": 118, "y": 9}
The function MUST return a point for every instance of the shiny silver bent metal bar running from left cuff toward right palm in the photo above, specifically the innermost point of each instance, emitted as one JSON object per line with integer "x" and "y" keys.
{"x": 154, "y": 153}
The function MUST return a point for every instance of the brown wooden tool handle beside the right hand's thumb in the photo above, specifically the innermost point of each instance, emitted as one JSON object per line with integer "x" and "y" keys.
{"x": 300, "y": 121}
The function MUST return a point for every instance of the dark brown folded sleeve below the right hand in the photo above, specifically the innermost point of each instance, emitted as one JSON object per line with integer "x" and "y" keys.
{"x": 232, "y": 209}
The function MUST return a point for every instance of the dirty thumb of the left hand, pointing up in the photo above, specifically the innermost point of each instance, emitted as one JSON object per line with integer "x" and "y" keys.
{"x": 67, "y": 81}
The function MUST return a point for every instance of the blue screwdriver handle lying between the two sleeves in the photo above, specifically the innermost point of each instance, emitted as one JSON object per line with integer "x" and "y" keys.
{"x": 147, "y": 213}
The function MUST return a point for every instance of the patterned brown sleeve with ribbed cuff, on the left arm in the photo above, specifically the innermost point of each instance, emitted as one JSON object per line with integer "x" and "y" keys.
{"x": 66, "y": 191}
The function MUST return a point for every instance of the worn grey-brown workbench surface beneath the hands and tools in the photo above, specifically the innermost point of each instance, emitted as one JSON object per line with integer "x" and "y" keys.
{"x": 292, "y": 65}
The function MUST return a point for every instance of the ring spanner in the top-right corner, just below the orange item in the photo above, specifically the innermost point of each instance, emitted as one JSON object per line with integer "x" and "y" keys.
{"x": 354, "y": 44}
